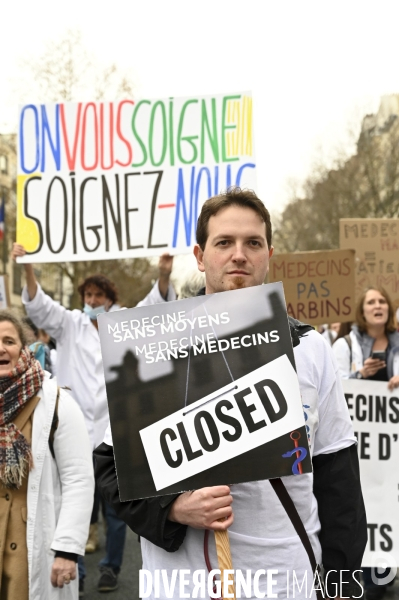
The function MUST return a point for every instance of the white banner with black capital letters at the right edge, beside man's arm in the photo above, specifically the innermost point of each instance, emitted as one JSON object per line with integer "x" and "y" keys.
{"x": 375, "y": 414}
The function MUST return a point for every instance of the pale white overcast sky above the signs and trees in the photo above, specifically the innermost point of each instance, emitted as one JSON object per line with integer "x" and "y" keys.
{"x": 313, "y": 67}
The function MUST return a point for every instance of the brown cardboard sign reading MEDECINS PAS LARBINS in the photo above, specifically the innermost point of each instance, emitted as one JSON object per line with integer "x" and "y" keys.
{"x": 319, "y": 287}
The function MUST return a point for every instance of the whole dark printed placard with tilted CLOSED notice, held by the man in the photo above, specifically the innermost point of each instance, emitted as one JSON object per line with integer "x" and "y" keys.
{"x": 203, "y": 392}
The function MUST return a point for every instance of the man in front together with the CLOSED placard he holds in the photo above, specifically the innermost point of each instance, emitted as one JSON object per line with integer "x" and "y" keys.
{"x": 191, "y": 382}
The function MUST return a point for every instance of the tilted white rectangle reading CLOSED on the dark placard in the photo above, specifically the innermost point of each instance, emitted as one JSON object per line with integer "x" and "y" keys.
{"x": 200, "y": 430}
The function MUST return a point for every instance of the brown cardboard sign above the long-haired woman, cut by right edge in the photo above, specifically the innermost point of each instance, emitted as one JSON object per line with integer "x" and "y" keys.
{"x": 376, "y": 242}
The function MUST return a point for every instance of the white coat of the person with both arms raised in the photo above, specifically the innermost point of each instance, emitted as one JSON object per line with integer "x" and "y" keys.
{"x": 79, "y": 362}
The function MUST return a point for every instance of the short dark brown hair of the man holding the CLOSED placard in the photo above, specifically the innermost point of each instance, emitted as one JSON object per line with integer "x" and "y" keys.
{"x": 234, "y": 196}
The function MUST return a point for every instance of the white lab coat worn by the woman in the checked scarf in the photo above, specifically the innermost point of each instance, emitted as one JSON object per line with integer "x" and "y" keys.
{"x": 60, "y": 491}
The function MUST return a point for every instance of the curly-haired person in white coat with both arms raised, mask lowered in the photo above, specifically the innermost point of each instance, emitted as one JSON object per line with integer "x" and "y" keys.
{"x": 79, "y": 367}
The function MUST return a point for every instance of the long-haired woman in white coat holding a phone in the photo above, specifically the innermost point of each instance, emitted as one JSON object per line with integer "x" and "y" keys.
{"x": 374, "y": 333}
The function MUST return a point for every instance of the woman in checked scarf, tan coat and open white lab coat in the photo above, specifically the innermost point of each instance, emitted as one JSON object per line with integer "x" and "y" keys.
{"x": 46, "y": 477}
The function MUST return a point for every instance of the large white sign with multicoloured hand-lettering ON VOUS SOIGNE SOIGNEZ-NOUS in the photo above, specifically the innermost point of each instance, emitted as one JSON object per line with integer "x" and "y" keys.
{"x": 100, "y": 180}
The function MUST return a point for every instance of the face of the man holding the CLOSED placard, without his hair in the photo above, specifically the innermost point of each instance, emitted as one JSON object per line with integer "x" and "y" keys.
{"x": 236, "y": 254}
